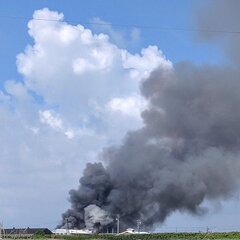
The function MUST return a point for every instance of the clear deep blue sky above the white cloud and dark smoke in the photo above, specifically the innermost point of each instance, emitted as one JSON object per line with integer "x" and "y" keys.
{"x": 176, "y": 45}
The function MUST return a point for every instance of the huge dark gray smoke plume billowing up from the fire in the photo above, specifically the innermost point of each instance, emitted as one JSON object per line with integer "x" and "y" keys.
{"x": 188, "y": 150}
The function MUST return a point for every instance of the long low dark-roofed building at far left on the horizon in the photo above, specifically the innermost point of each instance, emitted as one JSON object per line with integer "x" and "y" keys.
{"x": 24, "y": 232}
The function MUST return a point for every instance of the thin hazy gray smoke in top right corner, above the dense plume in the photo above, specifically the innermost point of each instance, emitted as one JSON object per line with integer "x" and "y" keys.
{"x": 222, "y": 16}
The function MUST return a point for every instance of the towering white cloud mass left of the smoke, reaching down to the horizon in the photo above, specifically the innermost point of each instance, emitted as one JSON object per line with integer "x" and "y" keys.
{"x": 89, "y": 91}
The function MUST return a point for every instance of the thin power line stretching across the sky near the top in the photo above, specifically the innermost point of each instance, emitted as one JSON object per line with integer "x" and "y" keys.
{"x": 147, "y": 27}
